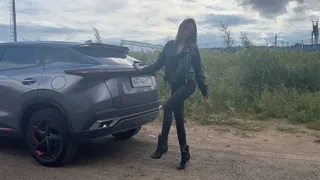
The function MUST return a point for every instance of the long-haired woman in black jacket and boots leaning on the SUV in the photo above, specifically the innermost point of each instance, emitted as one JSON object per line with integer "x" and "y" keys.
{"x": 183, "y": 71}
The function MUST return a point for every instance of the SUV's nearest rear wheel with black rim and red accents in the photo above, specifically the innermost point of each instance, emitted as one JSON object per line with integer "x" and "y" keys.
{"x": 48, "y": 138}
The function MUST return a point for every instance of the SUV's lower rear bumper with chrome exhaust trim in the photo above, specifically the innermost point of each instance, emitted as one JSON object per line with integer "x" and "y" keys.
{"x": 107, "y": 122}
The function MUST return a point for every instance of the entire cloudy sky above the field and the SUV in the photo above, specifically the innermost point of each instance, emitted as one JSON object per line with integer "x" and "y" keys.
{"x": 156, "y": 21}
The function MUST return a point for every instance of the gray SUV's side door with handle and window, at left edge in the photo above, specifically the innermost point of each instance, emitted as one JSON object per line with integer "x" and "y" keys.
{"x": 20, "y": 74}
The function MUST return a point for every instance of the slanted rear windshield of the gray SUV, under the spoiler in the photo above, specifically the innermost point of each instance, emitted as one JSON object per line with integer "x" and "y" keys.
{"x": 106, "y": 56}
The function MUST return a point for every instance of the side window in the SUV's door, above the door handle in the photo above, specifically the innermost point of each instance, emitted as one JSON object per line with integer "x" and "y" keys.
{"x": 19, "y": 57}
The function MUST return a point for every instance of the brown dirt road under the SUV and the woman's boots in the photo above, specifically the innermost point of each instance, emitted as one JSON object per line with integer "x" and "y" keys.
{"x": 217, "y": 153}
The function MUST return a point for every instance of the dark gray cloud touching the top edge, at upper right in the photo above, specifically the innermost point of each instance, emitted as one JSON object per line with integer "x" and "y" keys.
{"x": 268, "y": 8}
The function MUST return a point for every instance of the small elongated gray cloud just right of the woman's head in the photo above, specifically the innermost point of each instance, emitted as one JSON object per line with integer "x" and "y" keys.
{"x": 213, "y": 20}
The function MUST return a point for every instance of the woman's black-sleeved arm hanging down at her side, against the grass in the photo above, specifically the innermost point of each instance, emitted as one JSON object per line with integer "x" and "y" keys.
{"x": 200, "y": 78}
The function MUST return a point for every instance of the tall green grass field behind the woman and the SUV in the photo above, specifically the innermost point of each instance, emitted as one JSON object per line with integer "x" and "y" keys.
{"x": 268, "y": 84}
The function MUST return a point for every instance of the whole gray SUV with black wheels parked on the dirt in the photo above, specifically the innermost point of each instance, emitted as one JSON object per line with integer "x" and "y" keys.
{"x": 55, "y": 94}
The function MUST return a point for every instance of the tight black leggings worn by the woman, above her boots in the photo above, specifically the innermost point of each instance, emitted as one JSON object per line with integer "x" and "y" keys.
{"x": 175, "y": 104}
